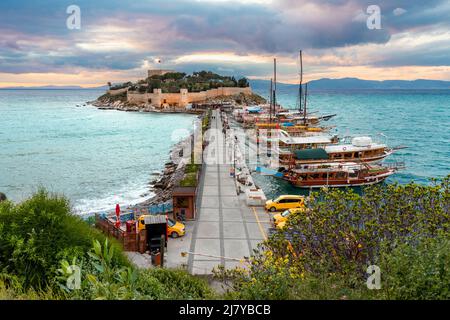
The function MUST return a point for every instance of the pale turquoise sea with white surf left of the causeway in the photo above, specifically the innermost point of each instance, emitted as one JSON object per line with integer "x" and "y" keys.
{"x": 97, "y": 158}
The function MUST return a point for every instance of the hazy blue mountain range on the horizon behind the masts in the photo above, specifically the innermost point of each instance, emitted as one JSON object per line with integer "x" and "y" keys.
{"x": 357, "y": 84}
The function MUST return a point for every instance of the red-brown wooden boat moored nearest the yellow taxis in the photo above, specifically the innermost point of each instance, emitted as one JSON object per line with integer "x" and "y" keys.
{"x": 349, "y": 174}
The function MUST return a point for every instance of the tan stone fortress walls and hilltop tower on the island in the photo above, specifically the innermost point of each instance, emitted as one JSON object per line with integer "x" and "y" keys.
{"x": 181, "y": 100}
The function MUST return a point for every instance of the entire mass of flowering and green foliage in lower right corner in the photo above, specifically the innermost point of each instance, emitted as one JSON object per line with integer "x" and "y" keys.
{"x": 324, "y": 253}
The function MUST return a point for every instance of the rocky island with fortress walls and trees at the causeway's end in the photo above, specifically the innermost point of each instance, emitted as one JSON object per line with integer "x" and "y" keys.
{"x": 170, "y": 91}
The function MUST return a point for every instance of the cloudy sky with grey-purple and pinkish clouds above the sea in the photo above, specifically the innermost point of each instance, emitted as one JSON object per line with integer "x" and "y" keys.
{"x": 119, "y": 39}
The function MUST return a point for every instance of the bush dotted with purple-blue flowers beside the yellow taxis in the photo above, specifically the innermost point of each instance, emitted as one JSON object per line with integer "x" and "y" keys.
{"x": 344, "y": 231}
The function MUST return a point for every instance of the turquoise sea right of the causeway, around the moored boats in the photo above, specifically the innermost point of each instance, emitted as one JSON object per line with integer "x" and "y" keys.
{"x": 418, "y": 119}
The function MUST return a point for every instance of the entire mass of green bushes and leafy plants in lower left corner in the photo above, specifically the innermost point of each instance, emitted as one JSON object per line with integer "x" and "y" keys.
{"x": 41, "y": 241}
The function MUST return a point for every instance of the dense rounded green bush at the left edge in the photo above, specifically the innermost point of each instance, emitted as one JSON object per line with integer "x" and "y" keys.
{"x": 36, "y": 234}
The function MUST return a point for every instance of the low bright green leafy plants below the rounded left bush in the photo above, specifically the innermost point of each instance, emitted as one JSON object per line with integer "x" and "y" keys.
{"x": 101, "y": 279}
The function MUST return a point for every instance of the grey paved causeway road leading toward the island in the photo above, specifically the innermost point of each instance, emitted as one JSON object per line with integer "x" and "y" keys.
{"x": 226, "y": 227}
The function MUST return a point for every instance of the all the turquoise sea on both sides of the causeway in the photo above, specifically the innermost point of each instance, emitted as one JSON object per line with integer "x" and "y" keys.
{"x": 99, "y": 158}
